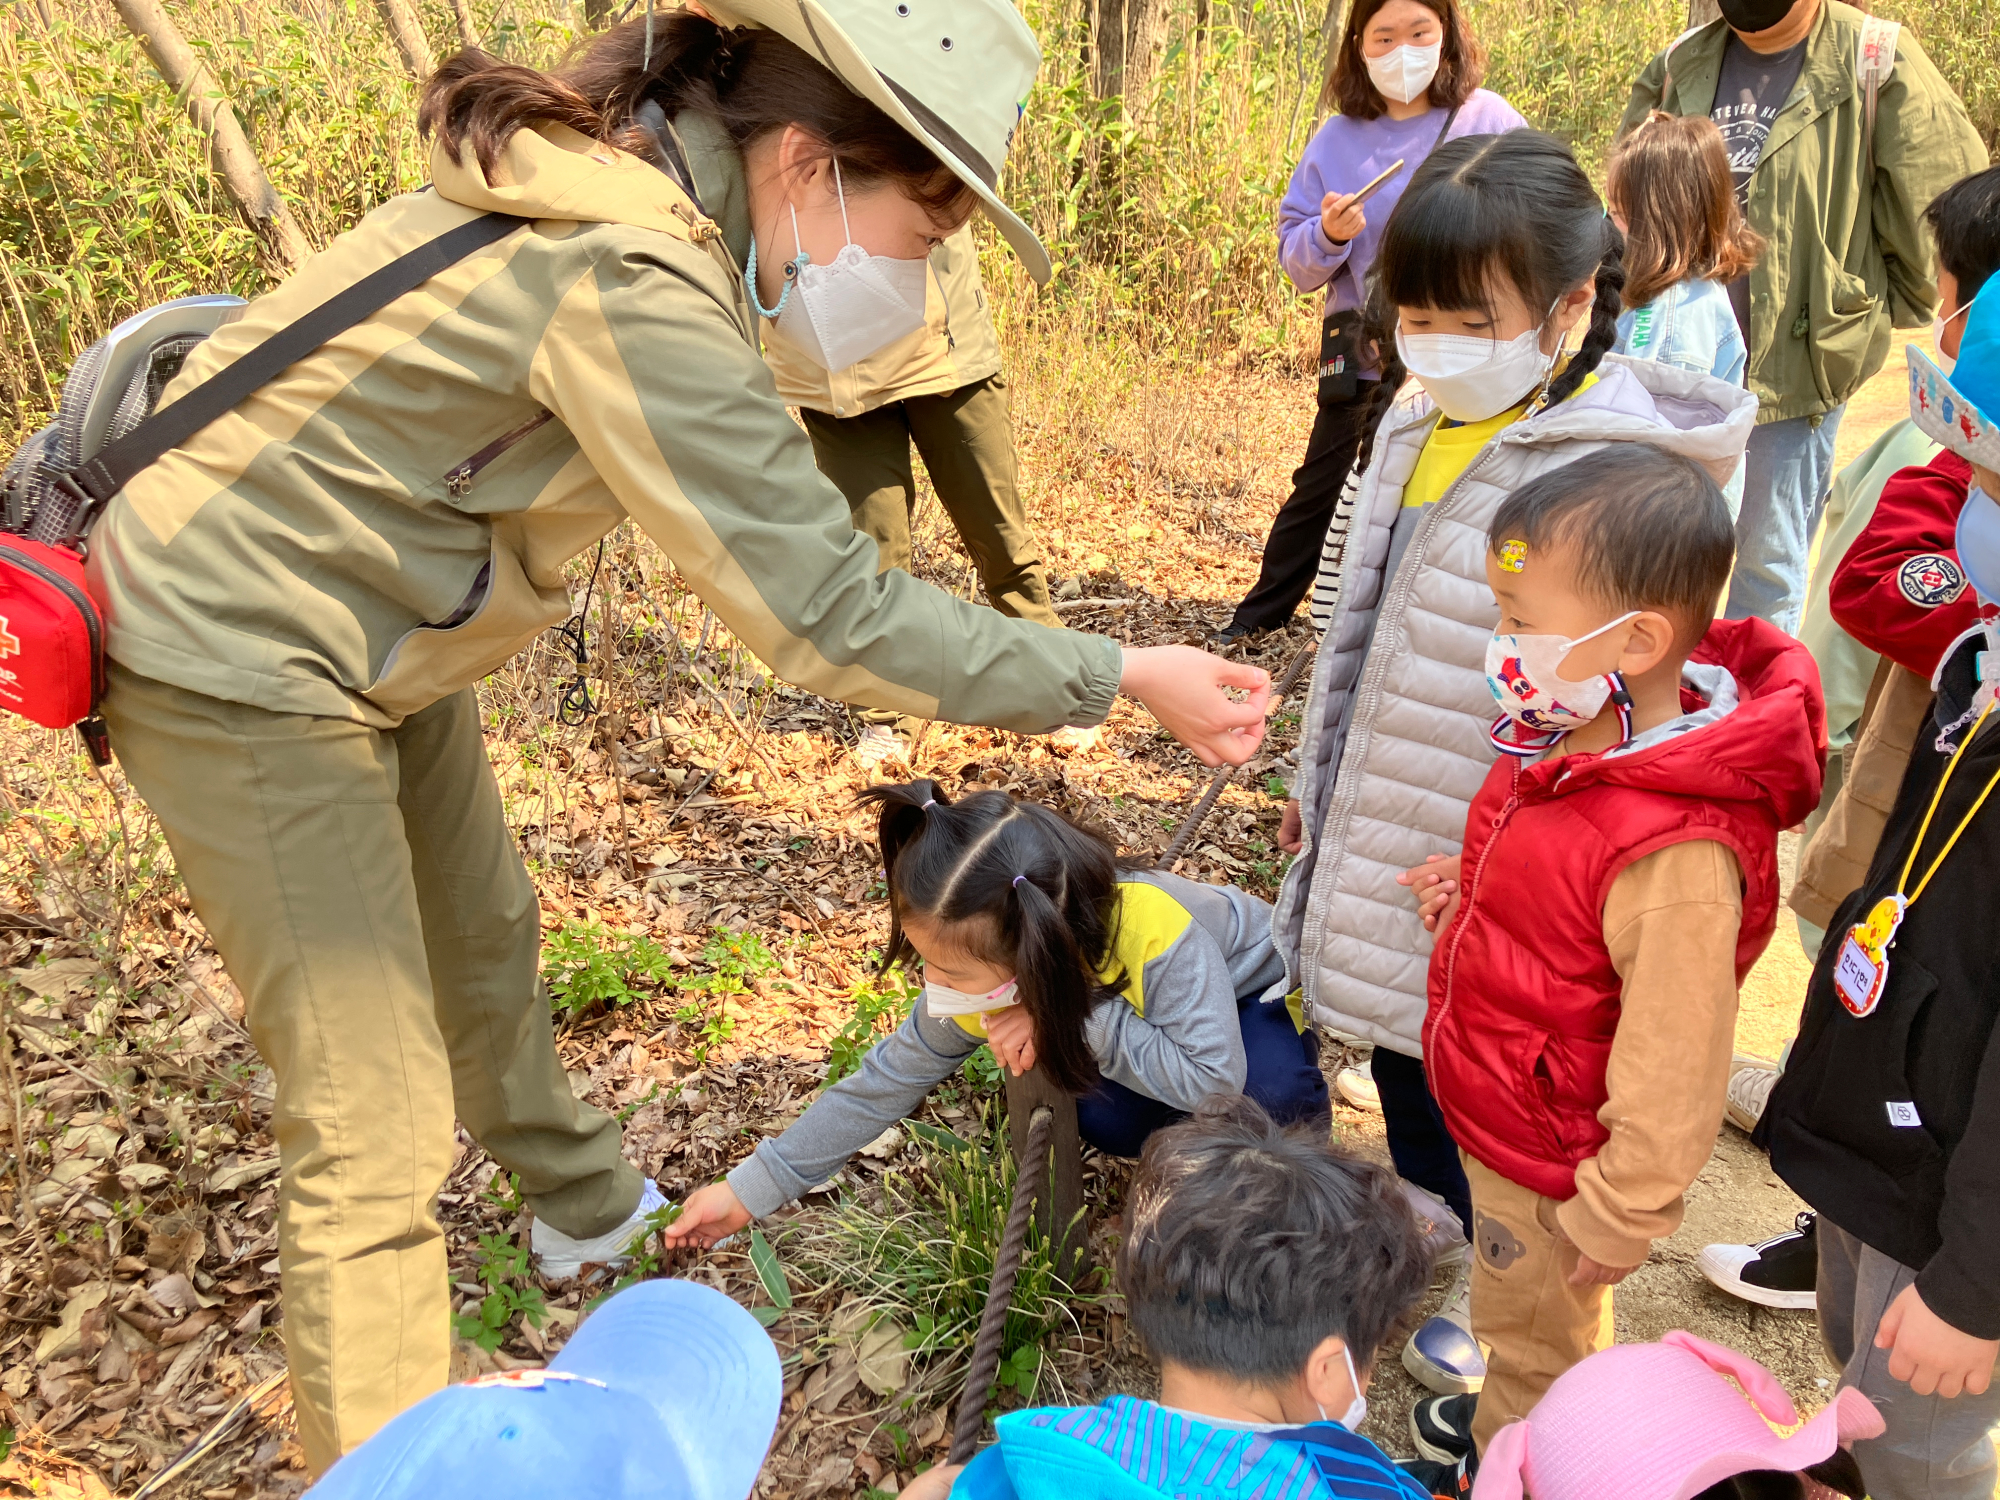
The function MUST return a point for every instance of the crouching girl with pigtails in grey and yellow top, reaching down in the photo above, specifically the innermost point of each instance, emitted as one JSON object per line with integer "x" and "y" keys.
{"x": 1133, "y": 989}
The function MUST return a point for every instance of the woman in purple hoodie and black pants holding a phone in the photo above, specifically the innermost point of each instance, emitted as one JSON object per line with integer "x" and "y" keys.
{"x": 1405, "y": 79}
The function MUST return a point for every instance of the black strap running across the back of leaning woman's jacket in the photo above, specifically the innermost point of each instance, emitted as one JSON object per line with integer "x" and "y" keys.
{"x": 115, "y": 467}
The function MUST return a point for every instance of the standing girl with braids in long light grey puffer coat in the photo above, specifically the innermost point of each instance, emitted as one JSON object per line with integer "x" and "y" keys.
{"x": 1497, "y": 255}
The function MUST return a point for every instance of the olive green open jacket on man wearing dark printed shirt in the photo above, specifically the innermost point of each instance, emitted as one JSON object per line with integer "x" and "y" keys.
{"x": 1847, "y": 263}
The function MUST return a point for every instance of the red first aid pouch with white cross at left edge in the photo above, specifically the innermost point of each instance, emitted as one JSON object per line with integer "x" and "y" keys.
{"x": 51, "y": 635}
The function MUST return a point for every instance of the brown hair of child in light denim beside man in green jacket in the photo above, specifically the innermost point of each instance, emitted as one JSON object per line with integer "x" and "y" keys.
{"x": 1671, "y": 183}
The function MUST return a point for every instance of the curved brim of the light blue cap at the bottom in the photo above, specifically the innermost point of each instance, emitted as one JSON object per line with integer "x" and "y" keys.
{"x": 703, "y": 1363}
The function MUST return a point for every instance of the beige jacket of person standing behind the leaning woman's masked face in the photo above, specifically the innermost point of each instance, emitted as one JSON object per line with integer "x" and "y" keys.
{"x": 953, "y": 349}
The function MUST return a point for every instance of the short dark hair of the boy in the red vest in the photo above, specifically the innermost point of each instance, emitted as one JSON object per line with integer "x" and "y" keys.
{"x": 1649, "y": 527}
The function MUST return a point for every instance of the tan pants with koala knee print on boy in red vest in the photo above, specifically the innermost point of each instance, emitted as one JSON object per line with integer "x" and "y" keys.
{"x": 1523, "y": 1305}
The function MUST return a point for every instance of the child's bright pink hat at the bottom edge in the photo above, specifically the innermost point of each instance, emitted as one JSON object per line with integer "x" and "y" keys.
{"x": 1663, "y": 1423}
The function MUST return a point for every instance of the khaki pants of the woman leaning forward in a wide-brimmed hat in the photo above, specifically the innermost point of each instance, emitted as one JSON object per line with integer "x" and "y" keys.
{"x": 369, "y": 899}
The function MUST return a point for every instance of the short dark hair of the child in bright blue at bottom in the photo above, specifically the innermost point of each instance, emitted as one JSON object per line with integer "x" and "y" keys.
{"x": 1249, "y": 1245}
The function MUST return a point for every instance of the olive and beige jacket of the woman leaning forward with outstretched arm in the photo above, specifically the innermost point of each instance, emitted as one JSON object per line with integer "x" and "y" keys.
{"x": 387, "y": 523}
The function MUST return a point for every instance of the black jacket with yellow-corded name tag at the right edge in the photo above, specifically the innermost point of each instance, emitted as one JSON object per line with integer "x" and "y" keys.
{"x": 1919, "y": 1183}
